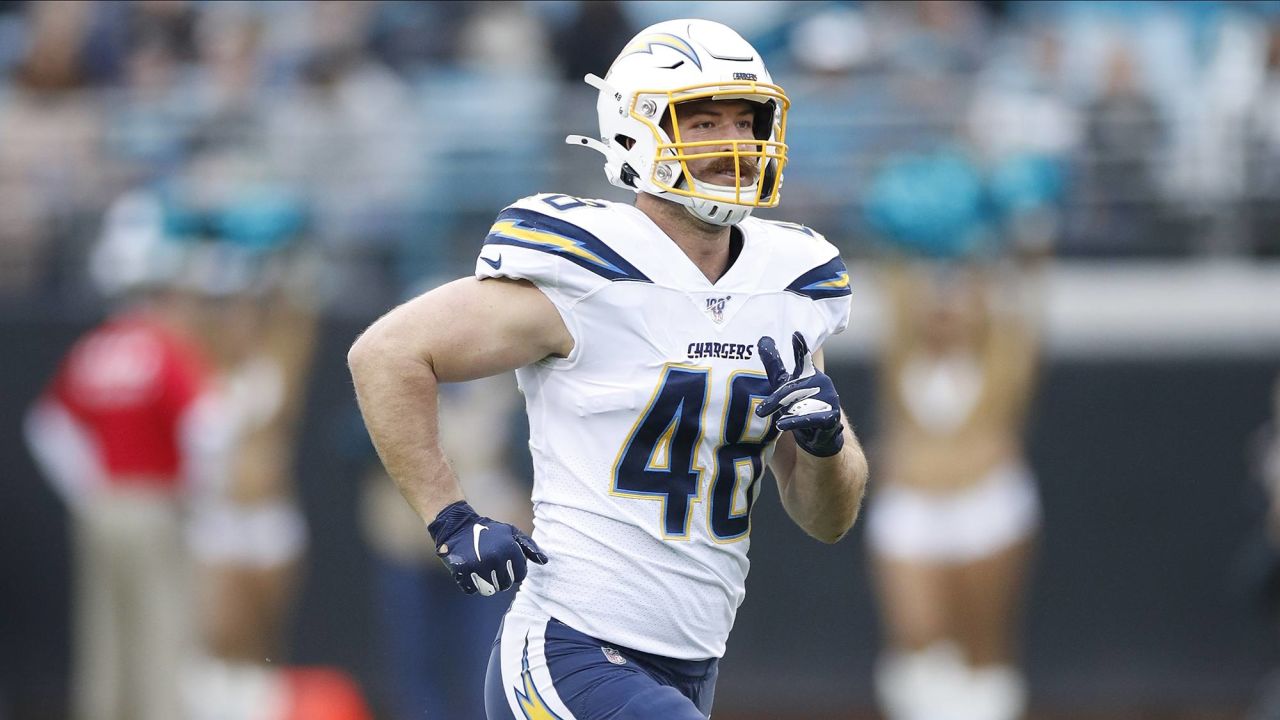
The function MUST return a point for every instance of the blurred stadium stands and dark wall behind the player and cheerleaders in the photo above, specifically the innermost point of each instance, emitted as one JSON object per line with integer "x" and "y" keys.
{"x": 1141, "y": 140}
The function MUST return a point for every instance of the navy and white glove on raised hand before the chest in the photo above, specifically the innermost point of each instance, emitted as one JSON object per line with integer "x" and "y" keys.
{"x": 808, "y": 402}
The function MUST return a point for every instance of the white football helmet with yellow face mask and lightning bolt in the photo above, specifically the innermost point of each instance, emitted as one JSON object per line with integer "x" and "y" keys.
{"x": 678, "y": 62}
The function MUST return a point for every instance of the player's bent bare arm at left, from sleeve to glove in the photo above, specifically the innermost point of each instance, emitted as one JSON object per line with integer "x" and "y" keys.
{"x": 463, "y": 331}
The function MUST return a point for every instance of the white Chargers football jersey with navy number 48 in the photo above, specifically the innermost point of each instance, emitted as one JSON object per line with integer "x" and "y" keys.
{"x": 647, "y": 449}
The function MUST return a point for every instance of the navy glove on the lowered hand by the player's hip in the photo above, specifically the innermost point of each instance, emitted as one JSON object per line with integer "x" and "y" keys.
{"x": 483, "y": 555}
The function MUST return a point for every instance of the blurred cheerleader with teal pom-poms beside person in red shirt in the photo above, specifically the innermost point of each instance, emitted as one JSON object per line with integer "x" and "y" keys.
{"x": 248, "y": 532}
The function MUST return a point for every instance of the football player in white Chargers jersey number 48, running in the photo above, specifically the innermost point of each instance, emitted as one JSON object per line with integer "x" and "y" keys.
{"x": 647, "y": 343}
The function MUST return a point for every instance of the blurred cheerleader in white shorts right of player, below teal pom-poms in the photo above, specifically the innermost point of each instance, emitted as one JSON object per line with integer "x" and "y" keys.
{"x": 950, "y": 530}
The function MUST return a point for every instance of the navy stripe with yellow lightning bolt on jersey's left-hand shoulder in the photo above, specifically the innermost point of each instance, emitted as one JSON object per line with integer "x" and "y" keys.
{"x": 536, "y": 231}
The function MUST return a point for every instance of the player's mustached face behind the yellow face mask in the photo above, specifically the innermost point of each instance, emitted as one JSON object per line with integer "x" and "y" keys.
{"x": 717, "y": 120}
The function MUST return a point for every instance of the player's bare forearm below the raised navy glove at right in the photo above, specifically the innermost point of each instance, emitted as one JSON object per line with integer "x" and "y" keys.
{"x": 822, "y": 495}
